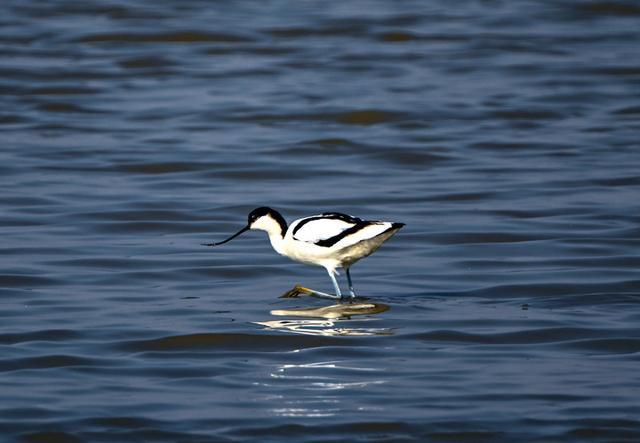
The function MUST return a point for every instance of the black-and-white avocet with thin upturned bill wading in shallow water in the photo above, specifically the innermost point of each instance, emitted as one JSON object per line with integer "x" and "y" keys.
{"x": 332, "y": 240}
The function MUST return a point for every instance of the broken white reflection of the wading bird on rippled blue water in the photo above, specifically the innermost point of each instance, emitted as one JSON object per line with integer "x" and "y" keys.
{"x": 319, "y": 388}
